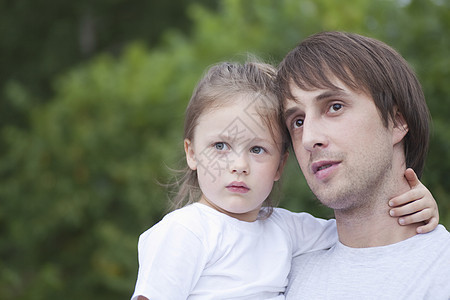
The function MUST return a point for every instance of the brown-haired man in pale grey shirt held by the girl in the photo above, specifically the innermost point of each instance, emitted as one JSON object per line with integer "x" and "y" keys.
{"x": 357, "y": 117}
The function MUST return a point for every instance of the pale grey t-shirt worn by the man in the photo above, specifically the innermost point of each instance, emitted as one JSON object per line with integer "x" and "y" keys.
{"x": 416, "y": 268}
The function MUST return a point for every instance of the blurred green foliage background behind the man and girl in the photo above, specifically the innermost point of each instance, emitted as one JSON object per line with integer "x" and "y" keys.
{"x": 92, "y": 102}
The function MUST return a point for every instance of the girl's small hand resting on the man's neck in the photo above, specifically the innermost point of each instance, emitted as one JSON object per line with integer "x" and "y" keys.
{"x": 416, "y": 205}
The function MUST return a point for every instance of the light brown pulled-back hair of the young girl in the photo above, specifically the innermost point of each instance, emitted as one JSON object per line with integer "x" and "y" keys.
{"x": 222, "y": 84}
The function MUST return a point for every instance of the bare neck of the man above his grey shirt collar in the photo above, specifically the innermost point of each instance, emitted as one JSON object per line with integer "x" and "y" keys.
{"x": 364, "y": 227}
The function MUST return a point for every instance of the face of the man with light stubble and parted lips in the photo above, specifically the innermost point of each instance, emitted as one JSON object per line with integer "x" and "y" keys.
{"x": 341, "y": 144}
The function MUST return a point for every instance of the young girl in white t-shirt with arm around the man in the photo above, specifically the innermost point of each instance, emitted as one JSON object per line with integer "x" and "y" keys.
{"x": 227, "y": 242}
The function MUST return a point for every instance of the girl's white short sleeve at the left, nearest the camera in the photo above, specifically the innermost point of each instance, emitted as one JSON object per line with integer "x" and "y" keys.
{"x": 171, "y": 259}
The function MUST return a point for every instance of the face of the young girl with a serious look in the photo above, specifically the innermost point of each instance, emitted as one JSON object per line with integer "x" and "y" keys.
{"x": 236, "y": 158}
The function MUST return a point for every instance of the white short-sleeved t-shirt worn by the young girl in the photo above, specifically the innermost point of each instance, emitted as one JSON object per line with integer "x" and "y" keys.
{"x": 197, "y": 252}
